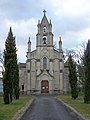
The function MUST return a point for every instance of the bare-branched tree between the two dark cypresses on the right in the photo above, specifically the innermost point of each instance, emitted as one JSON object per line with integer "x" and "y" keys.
{"x": 78, "y": 56}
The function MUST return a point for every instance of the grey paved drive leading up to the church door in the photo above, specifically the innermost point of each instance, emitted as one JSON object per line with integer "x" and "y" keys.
{"x": 46, "y": 107}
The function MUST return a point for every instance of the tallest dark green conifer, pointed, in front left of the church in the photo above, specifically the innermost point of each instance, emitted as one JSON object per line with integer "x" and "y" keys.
{"x": 10, "y": 65}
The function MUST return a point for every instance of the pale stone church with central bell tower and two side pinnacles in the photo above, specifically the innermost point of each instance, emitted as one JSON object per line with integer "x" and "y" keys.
{"x": 44, "y": 70}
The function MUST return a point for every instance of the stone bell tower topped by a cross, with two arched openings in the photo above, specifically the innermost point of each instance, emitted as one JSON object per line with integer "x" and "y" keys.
{"x": 44, "y": 37}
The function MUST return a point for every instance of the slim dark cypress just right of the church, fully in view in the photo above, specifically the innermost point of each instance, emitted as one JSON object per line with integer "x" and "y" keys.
{"x": 73, "y": 77}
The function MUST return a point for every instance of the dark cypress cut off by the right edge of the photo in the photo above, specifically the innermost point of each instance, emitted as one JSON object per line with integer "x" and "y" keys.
{"x": 87, "y": 73}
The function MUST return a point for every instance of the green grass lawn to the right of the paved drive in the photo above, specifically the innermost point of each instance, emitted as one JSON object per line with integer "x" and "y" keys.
{"x": 77, "y": 104}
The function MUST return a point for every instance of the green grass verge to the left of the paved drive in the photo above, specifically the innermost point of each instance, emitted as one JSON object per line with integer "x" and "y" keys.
{"x": 8, "y": 111}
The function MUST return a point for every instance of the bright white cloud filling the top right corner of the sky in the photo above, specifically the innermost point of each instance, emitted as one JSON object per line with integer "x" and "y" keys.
{"x": 71, "y": 7}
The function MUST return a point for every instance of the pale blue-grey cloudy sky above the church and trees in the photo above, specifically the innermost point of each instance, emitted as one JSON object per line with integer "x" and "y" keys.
{"x": 70, "y": 20}
